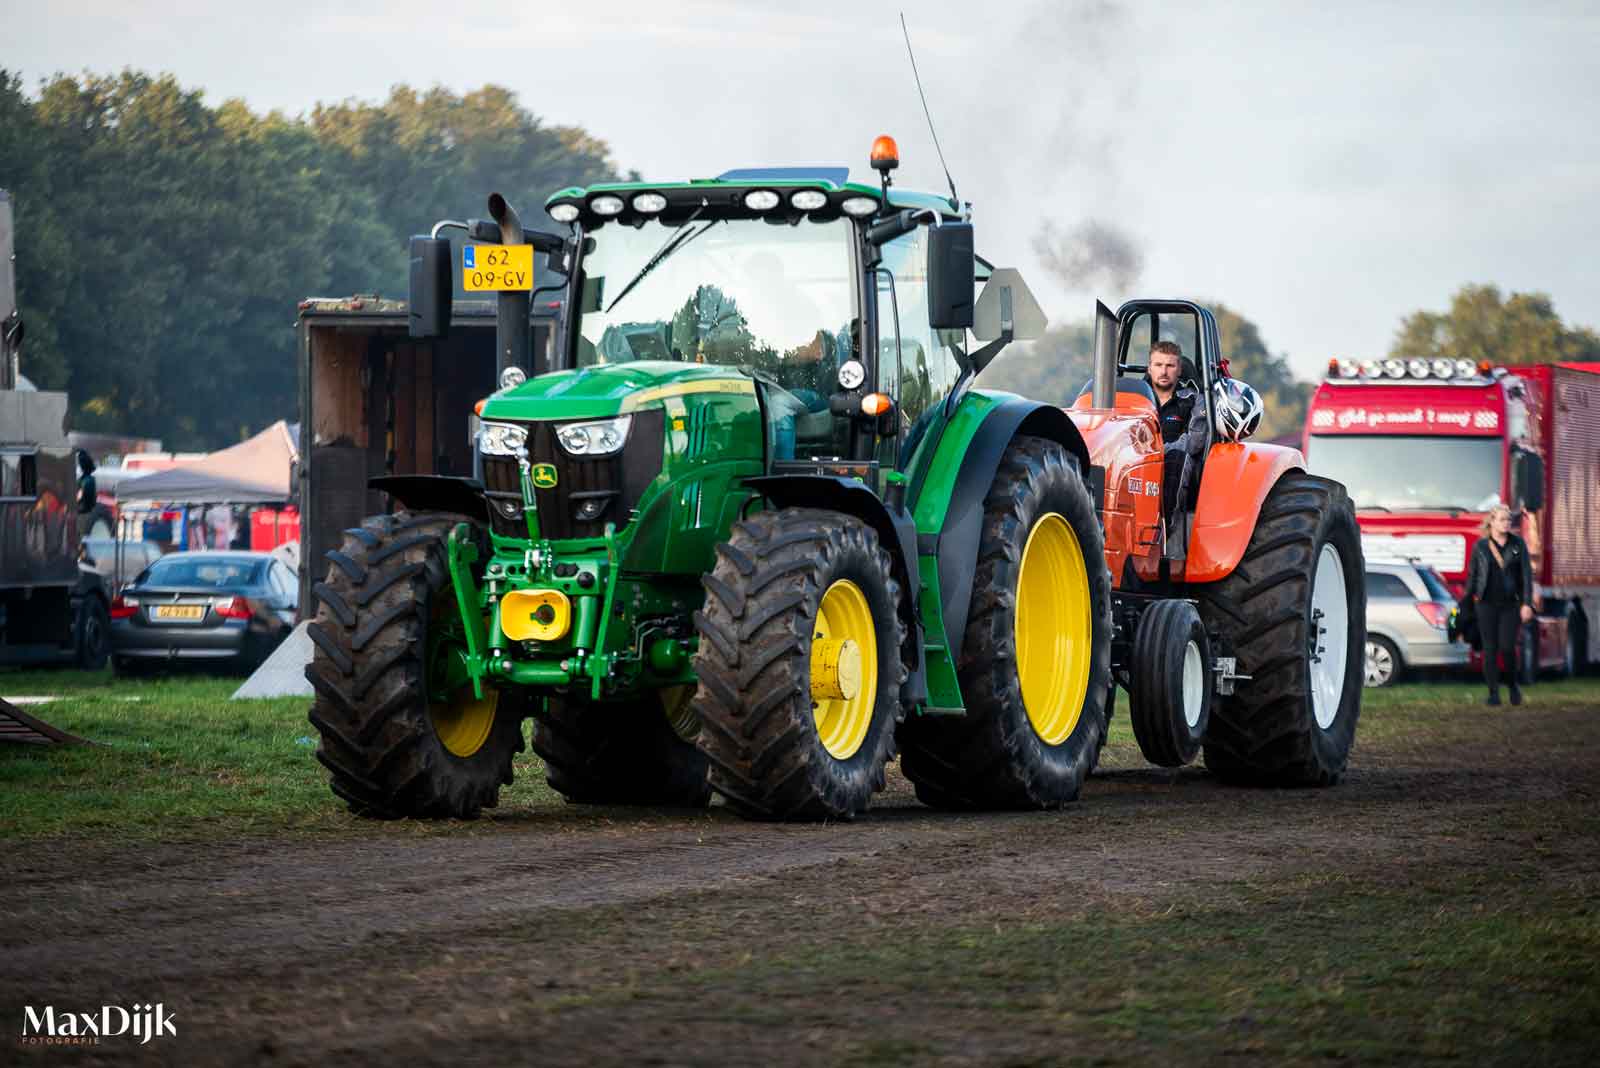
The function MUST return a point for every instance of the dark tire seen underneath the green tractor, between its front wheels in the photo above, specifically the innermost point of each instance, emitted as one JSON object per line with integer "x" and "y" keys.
{"x": 604, "y": 754}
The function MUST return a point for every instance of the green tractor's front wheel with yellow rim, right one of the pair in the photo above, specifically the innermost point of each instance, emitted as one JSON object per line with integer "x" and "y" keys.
{"x": 799, "y": 666}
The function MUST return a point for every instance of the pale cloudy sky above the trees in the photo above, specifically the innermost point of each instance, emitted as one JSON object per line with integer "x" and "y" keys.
{"x": 1321, "y": 169}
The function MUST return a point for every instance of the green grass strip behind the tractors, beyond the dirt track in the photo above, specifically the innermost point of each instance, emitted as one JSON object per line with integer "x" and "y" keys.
{"x": 178, "y": 760}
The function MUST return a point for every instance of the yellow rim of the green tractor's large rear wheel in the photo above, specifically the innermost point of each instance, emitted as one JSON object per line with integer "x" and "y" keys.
{"x": 1054, "y": 629}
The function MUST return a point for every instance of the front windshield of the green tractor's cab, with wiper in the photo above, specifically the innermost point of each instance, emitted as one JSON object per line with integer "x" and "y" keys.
{"x": 745, "y": 293}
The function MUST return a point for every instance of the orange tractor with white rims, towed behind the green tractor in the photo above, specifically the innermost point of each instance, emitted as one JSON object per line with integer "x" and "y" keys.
{"x": 1239, "y": 588}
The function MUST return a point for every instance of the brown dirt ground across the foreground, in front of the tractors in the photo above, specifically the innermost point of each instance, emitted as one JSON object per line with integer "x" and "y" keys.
{"x": 570, "y": 936}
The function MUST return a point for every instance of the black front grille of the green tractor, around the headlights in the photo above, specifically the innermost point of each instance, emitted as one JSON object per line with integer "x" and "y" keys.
{"x": 610, "y": 485}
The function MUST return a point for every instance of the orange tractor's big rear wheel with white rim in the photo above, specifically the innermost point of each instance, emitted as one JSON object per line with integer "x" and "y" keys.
{"x": 1295, "y": 616}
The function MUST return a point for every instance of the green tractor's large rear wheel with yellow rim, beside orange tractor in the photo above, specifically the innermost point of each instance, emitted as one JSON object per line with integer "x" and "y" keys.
{"x": 1036, "y": 663}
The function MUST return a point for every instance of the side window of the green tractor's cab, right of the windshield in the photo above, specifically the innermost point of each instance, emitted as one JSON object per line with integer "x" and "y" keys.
{"x": 916, "y": 362}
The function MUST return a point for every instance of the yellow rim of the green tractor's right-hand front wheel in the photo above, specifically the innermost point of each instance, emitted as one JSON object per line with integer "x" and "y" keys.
{"x": 844, "y": 669}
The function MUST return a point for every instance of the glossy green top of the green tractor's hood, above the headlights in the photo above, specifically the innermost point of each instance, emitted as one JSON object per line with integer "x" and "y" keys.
{"x": 612, "y": 389}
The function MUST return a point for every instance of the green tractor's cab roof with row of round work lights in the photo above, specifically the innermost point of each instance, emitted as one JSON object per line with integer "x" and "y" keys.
{"x": 823, "y": 193}
